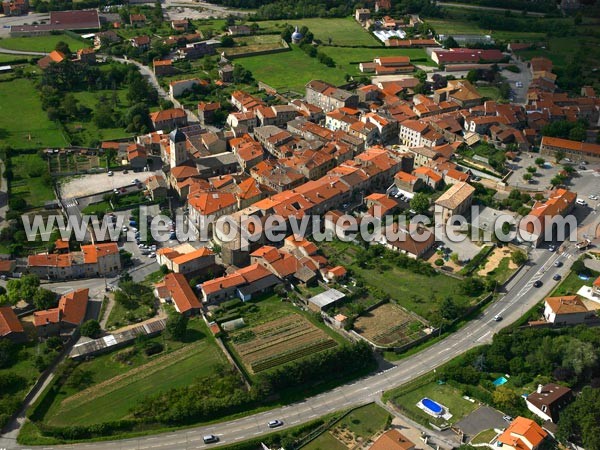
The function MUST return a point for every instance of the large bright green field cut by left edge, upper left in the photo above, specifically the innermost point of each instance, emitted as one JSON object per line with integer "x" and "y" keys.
{"x": 30, "y": 128}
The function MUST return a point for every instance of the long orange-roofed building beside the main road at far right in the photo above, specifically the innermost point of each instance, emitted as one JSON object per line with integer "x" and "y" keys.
{"x": 545, "y": 214}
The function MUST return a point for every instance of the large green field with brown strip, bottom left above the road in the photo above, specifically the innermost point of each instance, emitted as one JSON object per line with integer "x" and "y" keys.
{"x": 116, "y": 387}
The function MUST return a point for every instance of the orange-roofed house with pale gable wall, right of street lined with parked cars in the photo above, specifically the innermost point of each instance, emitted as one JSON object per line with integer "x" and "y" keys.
{"x": 186, "y": 260}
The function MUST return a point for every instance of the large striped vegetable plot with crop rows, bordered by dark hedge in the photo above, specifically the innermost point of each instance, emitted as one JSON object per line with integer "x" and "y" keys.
{"x": 278, "y": 342}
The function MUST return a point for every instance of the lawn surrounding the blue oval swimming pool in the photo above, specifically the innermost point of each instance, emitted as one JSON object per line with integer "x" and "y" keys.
{"x": 450, "y": 397}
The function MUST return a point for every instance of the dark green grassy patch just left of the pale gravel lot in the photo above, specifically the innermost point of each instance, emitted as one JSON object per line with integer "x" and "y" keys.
{"x": 30, "y": 182}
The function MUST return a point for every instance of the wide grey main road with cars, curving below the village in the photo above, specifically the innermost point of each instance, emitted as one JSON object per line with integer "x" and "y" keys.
{"x": 519, "y": 299}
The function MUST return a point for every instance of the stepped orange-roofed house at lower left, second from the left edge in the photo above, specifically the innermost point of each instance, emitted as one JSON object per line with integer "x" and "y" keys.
{"x": 69, "y": 314}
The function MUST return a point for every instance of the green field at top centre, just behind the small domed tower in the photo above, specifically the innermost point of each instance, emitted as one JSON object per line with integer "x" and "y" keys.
{"x": 341, "y": 31}
